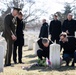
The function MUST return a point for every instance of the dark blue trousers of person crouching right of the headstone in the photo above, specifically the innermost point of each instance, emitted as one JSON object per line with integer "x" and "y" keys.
{"x": 68, "y": 57}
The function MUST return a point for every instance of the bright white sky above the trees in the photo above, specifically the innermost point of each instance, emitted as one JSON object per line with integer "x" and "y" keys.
{"x": 51, "y": 6}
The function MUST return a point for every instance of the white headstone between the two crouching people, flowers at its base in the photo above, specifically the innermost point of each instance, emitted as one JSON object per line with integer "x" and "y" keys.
{"x": 55, "y": 55}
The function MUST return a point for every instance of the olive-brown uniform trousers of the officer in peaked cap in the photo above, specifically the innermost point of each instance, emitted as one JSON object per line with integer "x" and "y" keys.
{"x": 9, "y": 51}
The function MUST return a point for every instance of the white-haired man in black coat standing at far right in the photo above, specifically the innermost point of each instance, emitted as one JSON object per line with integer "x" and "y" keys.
{"x": 69, "y": 25}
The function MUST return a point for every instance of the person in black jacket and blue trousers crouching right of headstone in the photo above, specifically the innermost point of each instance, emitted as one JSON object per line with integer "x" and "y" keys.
{"x": 69, "y": 46}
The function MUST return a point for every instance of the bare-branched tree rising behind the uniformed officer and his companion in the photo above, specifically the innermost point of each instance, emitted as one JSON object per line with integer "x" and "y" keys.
{"x": 30, "y": 15}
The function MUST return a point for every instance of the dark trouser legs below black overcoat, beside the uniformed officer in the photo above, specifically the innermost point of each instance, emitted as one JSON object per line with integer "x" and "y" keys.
{"x": 19, "y": 53}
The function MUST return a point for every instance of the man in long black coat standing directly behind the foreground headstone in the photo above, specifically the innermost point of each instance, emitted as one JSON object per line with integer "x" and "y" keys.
{"x": 55, "y": 29}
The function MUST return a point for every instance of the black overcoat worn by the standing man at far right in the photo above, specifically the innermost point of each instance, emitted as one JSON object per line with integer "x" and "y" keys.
{"x": 70, "y": 26}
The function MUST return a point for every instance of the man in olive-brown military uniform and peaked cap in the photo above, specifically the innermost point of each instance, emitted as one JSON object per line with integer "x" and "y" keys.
{"x": 9, "y": 33}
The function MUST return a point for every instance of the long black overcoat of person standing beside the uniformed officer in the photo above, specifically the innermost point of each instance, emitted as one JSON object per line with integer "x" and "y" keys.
{"x": 19, "y": 33}
